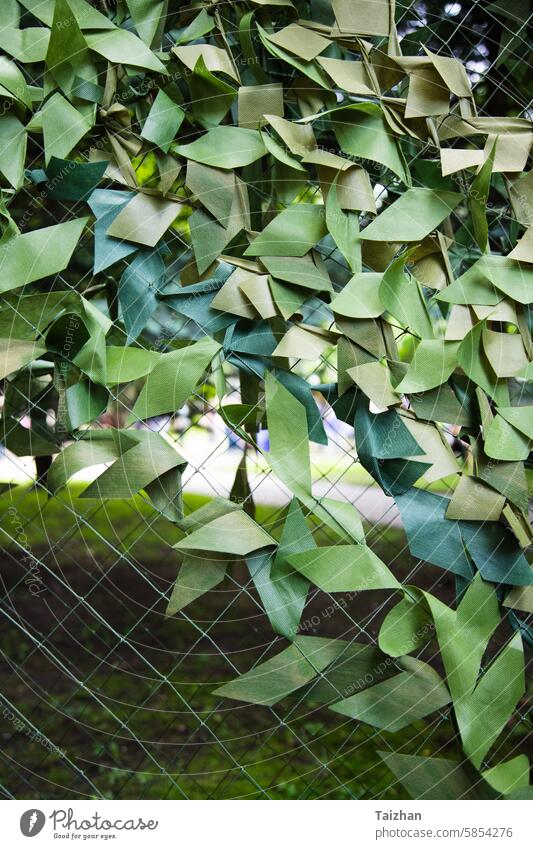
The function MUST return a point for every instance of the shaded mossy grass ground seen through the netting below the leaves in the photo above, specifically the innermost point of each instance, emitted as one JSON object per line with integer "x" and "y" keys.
{"x": 128, "y": 694}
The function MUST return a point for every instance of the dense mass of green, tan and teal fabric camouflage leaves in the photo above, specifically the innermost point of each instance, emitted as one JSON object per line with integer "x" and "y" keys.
{"x": 281, "y": 184}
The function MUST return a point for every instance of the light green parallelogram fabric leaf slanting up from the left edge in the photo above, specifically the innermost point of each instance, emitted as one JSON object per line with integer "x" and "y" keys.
{"x": 40, "y": 253}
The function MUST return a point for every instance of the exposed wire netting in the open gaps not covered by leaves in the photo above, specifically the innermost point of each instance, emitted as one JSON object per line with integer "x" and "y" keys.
{"x": 102, "y": 695}
